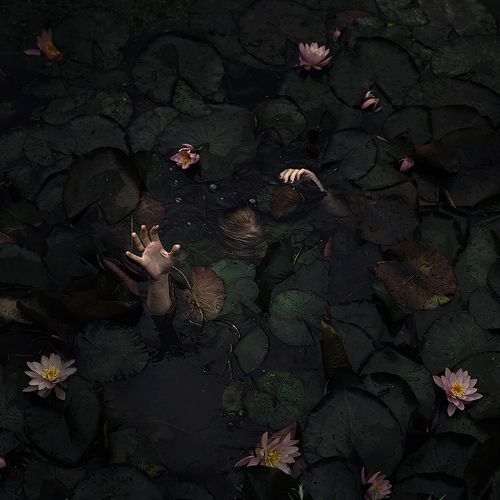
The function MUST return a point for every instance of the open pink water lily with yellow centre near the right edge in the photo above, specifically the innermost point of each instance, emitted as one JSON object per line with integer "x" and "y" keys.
{"x": 459, "y": 389}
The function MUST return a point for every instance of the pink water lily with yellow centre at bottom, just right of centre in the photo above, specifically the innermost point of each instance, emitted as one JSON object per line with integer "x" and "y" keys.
{"x": 279, "y": 453}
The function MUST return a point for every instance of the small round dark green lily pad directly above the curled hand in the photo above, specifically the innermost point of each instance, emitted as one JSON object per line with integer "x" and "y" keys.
{"x": 283, "y": 115}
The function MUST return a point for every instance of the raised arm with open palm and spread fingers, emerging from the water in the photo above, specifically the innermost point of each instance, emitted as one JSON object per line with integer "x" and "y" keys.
{"x": 158, "y": 263}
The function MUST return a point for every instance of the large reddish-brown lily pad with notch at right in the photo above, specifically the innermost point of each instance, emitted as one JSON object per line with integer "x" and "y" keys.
{"x": 421, "y": 279}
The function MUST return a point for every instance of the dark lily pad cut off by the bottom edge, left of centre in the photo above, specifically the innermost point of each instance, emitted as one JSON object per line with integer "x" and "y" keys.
{"x": 117, "y": 481}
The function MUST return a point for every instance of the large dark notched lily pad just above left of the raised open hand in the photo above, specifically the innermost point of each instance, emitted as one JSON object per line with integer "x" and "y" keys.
{"x": 106, "y": 177}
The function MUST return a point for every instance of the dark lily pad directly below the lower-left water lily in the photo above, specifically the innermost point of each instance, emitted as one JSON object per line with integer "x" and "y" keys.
{"x": 65, "y": 433}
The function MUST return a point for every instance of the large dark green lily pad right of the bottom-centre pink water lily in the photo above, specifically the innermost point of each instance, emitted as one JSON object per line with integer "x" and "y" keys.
{"x": 350, "y": 420}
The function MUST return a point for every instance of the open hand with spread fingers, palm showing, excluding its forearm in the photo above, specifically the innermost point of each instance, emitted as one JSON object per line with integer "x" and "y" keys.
{"x": 154, "y": 259}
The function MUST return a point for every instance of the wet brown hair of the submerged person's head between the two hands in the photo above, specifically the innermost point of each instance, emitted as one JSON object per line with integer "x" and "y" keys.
{"x": 240, "y": 231}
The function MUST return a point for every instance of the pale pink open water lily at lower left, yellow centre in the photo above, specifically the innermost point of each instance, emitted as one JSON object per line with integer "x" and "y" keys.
{"x": 49, "y": 374}
